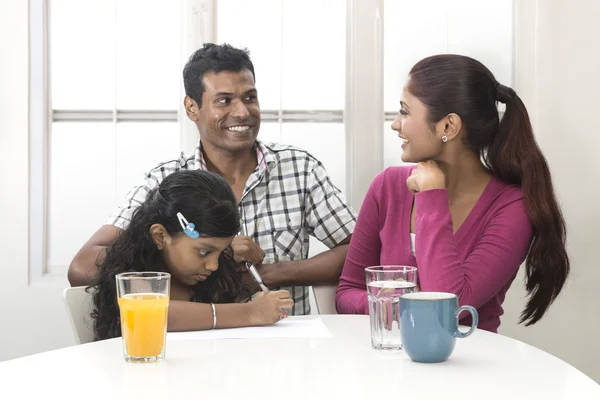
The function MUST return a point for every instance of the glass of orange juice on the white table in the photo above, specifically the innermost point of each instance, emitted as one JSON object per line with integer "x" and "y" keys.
{"x": 144, "y": 303}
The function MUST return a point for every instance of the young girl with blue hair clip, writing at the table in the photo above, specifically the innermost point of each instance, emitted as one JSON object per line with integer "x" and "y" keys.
{"x": 185, "y": 227}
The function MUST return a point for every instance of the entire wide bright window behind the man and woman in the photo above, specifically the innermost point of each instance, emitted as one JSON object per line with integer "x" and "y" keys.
{"x": 107, "y": 75}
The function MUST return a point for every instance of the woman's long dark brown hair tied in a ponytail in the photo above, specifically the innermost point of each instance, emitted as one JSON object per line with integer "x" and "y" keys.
{"x": 457, "y": 84}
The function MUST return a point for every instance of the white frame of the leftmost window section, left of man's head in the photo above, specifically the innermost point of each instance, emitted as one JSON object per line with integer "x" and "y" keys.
{"x": 41, "y": 117}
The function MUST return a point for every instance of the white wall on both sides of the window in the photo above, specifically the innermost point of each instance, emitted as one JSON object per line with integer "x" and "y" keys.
{"x": 556, "y": 76}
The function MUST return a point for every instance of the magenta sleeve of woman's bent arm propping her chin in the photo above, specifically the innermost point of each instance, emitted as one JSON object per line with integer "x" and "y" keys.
{"x": 487, "y": 269}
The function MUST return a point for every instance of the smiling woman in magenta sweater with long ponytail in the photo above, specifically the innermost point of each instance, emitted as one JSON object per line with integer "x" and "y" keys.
{"x": 479, "y": 202}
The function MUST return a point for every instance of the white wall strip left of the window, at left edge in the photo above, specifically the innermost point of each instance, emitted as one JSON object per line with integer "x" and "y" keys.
{"x": 32, "y": 318}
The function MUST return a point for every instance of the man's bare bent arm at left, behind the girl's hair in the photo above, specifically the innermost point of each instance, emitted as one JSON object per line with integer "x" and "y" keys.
{"x": 84, "y": 266}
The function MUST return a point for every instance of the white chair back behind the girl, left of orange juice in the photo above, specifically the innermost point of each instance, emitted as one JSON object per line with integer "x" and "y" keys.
{"x": 79, "y": 307}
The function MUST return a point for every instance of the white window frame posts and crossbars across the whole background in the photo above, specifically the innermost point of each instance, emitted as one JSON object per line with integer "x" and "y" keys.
{"x": 363, "y": 114}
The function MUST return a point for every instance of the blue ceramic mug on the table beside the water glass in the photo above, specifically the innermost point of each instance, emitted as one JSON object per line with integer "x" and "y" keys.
{"x": 429, "y": 325}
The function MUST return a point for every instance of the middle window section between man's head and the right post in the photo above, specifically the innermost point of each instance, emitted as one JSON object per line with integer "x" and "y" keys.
{"x": 300, "y": 73}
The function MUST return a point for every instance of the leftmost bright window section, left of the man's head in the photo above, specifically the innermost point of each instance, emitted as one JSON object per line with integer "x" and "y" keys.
{"x": 113, "y": 83}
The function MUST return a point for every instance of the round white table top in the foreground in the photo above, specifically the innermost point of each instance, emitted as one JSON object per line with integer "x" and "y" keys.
{"x": 483, "y": 366}
